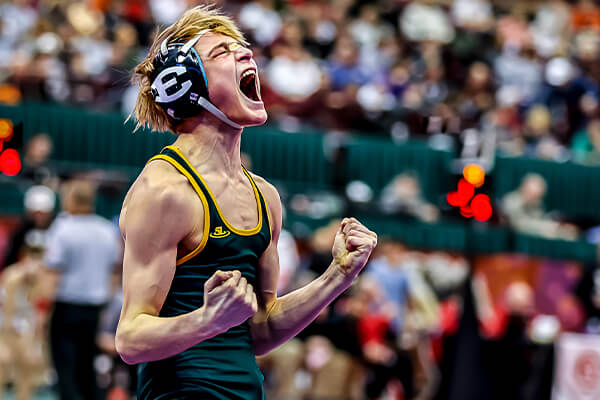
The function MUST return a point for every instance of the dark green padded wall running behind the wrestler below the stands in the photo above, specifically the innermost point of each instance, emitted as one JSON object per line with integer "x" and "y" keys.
{"x": 85, "y": 139}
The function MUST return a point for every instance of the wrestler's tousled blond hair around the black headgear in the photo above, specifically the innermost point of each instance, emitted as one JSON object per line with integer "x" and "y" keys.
{"x": 147, "y": 112}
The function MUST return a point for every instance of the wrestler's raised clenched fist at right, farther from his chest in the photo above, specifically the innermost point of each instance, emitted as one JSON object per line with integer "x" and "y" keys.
{"x": 352, "y": 246}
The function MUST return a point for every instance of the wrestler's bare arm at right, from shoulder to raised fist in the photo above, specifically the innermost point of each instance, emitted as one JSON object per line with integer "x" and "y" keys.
{"x": 279, "y": 319}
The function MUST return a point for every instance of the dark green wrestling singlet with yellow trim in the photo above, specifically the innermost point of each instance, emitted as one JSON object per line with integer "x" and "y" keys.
{"x": 223, "y": 367}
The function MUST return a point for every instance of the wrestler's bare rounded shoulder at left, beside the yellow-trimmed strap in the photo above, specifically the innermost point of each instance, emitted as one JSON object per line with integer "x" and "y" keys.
{"x": 158, "y": 195}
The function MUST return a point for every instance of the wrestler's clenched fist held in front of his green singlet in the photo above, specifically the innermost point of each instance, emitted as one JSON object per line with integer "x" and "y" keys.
{"x": 229, "y": 300}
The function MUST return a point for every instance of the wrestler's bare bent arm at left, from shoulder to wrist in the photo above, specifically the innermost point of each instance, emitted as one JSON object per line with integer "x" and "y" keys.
{"x": 159, "y": 216}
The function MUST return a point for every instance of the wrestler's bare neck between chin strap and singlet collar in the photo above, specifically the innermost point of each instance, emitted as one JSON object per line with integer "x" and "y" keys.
{"x": 212, "y": 147}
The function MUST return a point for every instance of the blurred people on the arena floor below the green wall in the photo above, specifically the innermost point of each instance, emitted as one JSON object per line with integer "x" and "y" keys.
{"x": 416, "y": 324}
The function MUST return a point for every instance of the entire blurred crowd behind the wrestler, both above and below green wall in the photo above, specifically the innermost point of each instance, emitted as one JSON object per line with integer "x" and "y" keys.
{"x": 516, "y": 77}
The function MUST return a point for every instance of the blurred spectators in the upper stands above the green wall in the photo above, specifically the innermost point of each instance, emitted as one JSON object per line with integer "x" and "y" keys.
{"x": 520, "y": 75}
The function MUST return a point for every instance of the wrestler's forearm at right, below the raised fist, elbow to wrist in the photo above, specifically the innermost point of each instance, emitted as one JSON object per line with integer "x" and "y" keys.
{"x": 290, "y": 314}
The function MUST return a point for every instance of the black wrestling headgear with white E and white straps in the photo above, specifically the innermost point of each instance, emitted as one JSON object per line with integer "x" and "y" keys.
{"x": 179, "y": 84}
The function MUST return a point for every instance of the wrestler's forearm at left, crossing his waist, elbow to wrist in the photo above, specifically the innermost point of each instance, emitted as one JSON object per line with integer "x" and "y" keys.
{"x": 148, "y": 338}
